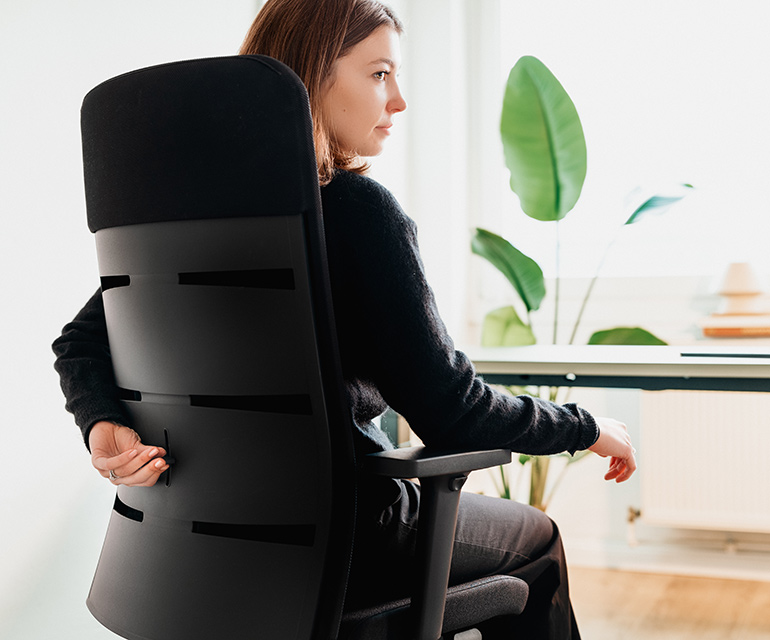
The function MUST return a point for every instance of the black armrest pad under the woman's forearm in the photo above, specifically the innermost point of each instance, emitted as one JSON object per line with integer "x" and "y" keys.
{"x": 419, "y": 462}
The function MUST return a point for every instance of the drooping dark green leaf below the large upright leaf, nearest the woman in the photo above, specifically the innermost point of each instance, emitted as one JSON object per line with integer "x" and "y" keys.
{"x": 521, "y": 271}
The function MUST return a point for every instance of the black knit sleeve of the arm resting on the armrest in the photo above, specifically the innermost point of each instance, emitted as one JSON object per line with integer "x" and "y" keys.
{"x": 390, "y": 329}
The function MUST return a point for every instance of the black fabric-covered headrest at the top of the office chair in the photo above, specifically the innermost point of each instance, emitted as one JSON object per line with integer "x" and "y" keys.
{"x": 209, "y": 138}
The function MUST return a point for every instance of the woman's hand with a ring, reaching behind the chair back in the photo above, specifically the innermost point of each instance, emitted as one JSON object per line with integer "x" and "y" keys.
{"x": 117, "y": 453}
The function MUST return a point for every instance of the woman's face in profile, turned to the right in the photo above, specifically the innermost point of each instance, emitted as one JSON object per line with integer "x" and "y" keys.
{"x": 363, "y": 94}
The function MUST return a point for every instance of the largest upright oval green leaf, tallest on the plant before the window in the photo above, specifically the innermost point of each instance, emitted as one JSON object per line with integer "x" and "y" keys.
{"x": 543, "y": 141}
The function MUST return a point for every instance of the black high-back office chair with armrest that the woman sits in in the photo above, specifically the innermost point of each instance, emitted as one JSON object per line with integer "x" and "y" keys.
{"x": 202, "y": 190}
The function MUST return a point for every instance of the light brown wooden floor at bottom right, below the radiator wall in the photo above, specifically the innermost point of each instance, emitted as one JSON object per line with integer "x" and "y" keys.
{"x": 614, "y": 605}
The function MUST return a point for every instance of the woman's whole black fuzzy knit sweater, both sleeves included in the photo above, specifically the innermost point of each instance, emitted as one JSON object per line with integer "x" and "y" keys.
{"x": 394, "y": 347}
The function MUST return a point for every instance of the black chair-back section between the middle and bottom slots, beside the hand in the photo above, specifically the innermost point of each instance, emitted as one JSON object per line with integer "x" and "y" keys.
{"x": 204, "y": 442}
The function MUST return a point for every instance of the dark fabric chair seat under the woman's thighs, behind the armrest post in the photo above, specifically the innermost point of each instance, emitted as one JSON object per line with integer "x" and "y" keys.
{"x": 467, "y": 604}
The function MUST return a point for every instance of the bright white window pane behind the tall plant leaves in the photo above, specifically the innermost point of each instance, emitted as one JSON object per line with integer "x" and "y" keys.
{"x": 669, "y": 92}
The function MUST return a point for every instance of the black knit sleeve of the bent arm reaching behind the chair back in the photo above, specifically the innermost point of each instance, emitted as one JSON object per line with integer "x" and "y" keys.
{"x": 84, "y": 366}
